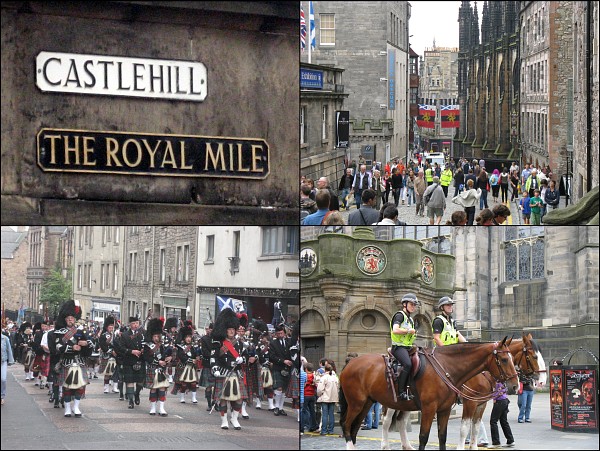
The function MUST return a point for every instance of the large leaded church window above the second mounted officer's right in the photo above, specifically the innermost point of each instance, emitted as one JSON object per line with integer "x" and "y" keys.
{"x": 524, "y": 253}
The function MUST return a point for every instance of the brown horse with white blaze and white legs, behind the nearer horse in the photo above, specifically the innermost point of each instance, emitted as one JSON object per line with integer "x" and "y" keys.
{"x": 527, "y": 357}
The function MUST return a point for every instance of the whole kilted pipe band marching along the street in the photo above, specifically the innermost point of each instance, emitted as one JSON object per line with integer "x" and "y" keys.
{"x": 238, "y": 364}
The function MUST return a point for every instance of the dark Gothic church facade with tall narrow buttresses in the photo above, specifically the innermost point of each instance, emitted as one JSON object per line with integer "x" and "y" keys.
{"x": 488, "y": 80}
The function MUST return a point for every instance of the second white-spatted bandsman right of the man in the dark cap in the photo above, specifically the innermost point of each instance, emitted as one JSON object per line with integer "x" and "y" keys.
{"x": 185, "y": 373}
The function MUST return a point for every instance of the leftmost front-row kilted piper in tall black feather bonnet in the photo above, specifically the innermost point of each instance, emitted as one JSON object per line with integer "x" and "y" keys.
{"x": 72, "y": 344}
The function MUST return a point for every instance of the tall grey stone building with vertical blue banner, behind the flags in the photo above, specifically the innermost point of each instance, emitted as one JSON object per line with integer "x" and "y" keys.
{"x": 375, "y": 60}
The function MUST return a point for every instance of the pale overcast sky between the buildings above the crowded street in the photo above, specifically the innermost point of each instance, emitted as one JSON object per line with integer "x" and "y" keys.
{"x": 437, "y": 20}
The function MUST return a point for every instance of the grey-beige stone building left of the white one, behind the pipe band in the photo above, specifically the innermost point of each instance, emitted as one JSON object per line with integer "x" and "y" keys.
{"x": 160, "y": 272}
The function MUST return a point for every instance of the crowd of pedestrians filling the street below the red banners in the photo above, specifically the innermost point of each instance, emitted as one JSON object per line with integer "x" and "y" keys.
{"x": 378, "y": 193}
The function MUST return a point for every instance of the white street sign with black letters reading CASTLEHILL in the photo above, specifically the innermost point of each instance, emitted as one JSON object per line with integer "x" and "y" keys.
{"x": 118, "y": 76}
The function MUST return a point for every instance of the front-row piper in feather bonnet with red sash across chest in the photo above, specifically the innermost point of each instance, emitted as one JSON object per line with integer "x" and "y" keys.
{"x": 225, "y": 361}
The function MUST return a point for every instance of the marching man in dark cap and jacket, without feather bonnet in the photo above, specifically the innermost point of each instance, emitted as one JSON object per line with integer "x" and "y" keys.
{"x": 129, "y": 346}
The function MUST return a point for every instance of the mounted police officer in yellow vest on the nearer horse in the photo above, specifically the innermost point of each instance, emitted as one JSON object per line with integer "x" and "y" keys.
{"x": 402, "y": 329}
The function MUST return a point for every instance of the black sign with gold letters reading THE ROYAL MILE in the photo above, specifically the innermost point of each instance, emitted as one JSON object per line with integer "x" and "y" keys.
{"x": 132, "y": 153}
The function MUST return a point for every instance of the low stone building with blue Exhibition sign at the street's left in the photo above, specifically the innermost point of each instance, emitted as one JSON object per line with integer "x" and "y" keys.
{"x": 319, "y": 156}
